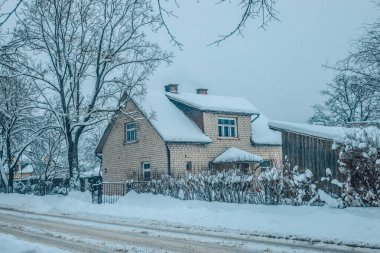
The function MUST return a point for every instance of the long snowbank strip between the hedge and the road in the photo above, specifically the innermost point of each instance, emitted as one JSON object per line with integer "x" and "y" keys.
{"x": 350, "y": 225}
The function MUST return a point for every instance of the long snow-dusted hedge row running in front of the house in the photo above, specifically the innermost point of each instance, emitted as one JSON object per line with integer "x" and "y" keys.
{"x": 234, "y": 186}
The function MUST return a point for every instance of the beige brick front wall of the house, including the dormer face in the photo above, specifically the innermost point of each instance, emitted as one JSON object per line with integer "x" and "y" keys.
{"x": 201, "y": 155}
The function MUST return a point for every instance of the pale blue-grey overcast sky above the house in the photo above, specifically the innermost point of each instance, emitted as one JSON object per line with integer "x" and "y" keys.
{"x": 280, "y": 69}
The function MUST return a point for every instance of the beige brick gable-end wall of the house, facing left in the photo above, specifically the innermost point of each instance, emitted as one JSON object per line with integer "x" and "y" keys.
{"x": 121, "y": 161}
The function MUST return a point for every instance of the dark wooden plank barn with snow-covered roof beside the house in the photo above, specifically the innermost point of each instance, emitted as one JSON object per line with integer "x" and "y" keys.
{"x": 310, "y": 147}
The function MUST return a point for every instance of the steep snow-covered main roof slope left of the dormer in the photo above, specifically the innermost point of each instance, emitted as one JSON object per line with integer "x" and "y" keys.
{"x": 169, "y": 121}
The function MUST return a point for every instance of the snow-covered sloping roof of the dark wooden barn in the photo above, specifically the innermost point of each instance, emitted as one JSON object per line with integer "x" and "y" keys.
{"x": 326, "y": 132}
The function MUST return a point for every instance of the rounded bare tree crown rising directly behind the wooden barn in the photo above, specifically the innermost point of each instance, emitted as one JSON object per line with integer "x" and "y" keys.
{"x": 347, "y": 100}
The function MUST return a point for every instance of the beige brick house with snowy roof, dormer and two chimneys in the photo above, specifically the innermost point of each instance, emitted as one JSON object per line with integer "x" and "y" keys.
{"x": 170, "y": 132}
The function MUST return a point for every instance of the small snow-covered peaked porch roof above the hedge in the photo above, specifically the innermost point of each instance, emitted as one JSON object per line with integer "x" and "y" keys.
{"x": 233, "y": 155}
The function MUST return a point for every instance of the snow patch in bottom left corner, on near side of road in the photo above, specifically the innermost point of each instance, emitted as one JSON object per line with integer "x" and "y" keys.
{"x": 12, "y": 244}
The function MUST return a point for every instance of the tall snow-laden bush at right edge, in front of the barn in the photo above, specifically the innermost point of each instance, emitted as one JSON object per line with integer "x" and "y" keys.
{"x": 359, "y": 164}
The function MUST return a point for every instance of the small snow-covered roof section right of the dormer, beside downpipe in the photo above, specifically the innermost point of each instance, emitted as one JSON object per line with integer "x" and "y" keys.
{"x": 262, "y": 134}
